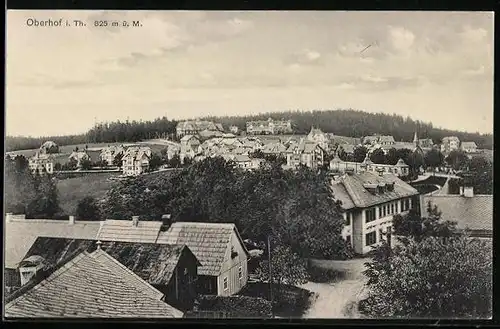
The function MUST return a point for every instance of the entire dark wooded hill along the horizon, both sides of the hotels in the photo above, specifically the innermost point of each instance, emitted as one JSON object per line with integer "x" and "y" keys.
{"x": 351, "y": 123}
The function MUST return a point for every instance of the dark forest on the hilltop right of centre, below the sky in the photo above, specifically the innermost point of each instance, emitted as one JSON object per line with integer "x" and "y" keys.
{"x": 355, "y": 123}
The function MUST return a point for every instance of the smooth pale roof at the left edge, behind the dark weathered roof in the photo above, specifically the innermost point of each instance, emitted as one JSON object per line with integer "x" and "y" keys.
{"x": 21, "y": 233}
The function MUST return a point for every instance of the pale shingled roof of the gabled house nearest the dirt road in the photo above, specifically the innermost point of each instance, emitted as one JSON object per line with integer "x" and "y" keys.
{"x": 207, "y": 241}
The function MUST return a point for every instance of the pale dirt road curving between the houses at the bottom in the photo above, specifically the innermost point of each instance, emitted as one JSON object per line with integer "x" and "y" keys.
{"x": 338, "y": 299}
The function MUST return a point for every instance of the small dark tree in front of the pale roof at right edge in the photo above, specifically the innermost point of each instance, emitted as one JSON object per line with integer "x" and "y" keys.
{"x": 417, "y": 227}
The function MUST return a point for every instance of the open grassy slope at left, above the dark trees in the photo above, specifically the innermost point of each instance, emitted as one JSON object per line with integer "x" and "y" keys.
{"x": 72, "y": 190}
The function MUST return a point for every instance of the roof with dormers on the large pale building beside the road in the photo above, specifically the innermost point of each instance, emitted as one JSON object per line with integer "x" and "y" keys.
{"x": 351, "y": 189}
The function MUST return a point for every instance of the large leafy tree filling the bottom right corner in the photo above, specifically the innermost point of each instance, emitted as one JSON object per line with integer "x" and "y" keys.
{"x": 431, "y": 278}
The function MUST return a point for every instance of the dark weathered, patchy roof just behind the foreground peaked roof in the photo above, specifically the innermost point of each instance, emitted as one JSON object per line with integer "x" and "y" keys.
{"x": 154, "y": 263}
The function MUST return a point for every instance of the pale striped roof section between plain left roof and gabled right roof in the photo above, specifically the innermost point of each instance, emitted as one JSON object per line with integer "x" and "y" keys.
{"x": 124, "y": 230}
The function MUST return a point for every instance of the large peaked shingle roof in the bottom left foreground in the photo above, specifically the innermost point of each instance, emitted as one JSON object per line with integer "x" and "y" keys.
{"x": 88, "y": 285}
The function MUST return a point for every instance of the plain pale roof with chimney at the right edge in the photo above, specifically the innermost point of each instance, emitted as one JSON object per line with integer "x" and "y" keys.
{"x": 471, "y": 212}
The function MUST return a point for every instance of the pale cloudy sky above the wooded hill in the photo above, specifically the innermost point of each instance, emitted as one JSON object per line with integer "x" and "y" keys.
{"x": 432, "y": 66}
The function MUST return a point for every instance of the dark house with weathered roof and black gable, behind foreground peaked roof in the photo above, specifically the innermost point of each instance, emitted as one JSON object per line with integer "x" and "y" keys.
{"x": 171, "y": 269}
